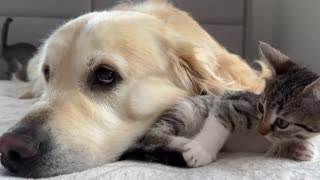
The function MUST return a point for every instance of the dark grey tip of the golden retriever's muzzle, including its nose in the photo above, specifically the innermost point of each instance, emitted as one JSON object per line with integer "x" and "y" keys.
{"x": 22, "y": 146}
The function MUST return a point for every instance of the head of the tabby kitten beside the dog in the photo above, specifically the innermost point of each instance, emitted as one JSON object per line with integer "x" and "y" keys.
{"x": 290, "y": 103}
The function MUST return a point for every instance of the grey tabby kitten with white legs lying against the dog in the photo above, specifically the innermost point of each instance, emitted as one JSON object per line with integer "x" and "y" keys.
{"x": 199, "y": 127}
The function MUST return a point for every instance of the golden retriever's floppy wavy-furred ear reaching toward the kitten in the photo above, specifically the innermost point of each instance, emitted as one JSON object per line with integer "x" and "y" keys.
{"x": 210, "y": 69}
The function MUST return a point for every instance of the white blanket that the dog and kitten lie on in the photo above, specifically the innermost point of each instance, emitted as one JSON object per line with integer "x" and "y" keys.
{"x": 228, "y": 166}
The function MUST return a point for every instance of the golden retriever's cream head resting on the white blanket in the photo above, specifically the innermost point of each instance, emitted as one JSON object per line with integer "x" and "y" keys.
{"x": 108, "y": 75}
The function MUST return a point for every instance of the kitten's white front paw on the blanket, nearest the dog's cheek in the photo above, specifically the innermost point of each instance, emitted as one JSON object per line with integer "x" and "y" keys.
{"x": 195, "y": 155}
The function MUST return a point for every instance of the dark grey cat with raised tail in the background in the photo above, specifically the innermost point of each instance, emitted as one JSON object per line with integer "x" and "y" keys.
{"x": 16, "y": 55}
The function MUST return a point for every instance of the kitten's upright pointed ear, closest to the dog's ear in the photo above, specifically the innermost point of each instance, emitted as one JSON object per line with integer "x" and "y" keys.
{"x": 277, "y": 60}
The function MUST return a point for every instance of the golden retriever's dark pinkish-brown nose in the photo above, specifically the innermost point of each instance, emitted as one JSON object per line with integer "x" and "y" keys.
{"x": 15, "y": 148}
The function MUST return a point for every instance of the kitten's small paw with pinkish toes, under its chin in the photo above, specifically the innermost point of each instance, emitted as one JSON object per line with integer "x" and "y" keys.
{"x": 302, "y": 151}
